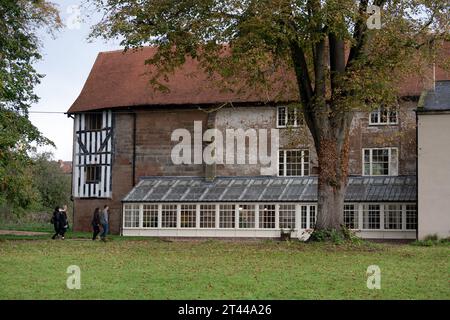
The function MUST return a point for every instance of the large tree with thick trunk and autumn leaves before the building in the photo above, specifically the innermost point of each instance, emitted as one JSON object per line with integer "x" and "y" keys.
{"x": 339, "y": 63}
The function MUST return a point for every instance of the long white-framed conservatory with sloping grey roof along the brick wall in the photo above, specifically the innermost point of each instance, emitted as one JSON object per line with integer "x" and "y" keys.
{"x": 266, "y": 207}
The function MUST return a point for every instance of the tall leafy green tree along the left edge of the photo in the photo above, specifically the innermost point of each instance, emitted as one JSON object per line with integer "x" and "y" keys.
{"x": 21, "y": 21}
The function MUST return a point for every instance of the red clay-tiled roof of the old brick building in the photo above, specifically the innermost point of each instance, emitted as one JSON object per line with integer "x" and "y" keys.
{"x": 118, "y": 79}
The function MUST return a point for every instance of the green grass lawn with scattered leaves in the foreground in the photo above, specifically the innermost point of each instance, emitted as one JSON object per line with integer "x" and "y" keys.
{"x": 155, "y": 269}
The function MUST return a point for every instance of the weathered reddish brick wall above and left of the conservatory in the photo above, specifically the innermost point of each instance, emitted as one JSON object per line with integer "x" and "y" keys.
{"x": 153, "y": 147}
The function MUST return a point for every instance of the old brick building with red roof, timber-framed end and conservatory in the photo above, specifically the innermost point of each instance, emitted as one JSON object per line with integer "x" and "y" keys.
{"x": 123, "y": 157}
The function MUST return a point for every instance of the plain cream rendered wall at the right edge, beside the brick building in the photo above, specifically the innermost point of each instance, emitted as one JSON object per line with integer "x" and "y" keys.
{"x": 434, "y": 175}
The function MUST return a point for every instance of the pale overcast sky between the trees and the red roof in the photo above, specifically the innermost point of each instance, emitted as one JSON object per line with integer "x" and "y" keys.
{"x": 66, "y": 63}
